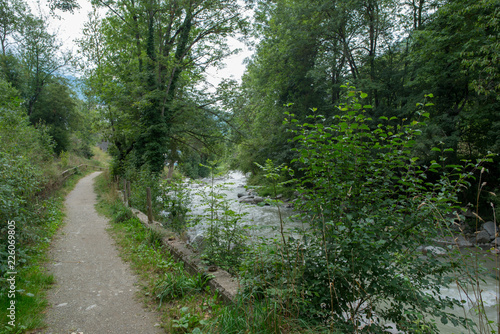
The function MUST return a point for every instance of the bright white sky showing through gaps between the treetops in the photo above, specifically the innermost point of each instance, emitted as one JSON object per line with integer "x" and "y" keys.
{"x": 70, "y": 27}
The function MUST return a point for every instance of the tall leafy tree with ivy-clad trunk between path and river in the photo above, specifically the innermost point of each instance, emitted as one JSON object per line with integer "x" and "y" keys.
{"x": 171, "y": 43}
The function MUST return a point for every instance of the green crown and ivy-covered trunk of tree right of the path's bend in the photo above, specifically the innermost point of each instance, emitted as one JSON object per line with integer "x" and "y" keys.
{"x": 148, "y": 78}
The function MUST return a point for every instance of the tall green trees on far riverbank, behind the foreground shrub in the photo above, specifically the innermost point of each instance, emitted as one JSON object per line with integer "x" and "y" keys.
{"x": 395, "y": 52}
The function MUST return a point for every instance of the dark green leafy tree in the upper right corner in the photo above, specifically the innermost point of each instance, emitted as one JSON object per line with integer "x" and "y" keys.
{"x": 447, "y": 59}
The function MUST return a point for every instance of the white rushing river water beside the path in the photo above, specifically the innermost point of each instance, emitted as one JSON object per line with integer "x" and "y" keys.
{"x": 266, "y": 223}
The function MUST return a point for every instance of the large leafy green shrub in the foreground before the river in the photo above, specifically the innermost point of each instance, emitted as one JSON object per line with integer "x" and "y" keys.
{"x": 369, "y": 205}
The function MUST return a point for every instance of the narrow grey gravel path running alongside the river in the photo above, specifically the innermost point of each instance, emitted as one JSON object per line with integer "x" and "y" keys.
{"x": 94, "y": 292}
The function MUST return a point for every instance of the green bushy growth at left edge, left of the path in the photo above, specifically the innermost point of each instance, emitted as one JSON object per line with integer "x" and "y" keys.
{"x": 23, "y": 151}
